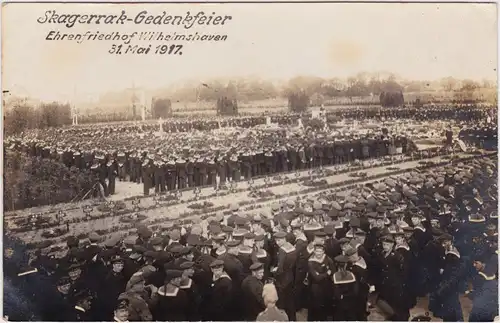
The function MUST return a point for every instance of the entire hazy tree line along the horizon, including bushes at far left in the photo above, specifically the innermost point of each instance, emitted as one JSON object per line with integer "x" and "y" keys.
{"x": 301, "y": 91}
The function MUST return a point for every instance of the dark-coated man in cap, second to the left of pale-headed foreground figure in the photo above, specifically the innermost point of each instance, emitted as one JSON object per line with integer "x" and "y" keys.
{"x": 220, "y": 301}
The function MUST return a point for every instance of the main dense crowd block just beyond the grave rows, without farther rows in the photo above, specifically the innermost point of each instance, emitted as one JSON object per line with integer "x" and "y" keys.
{"x": 176, "y": 161}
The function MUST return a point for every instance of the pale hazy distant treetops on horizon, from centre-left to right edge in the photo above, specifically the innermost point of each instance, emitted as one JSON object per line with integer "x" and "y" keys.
{"x": 317, "y": 88}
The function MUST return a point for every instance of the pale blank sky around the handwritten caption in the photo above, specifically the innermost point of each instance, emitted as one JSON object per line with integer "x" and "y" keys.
{"x": 278, "y": 41}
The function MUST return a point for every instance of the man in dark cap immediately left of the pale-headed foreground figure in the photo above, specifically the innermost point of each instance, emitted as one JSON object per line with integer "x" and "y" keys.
{"x": 251, "y": 289}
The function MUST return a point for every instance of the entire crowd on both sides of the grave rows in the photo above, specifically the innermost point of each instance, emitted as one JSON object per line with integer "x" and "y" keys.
{"x": 367, "y": 254}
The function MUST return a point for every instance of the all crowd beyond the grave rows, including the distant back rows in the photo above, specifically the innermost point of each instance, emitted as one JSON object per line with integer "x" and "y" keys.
{"x": 180, "y": 158}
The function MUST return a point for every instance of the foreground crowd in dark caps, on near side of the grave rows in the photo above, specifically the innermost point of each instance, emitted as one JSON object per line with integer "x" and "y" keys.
{"x": 387, "y": 243}
